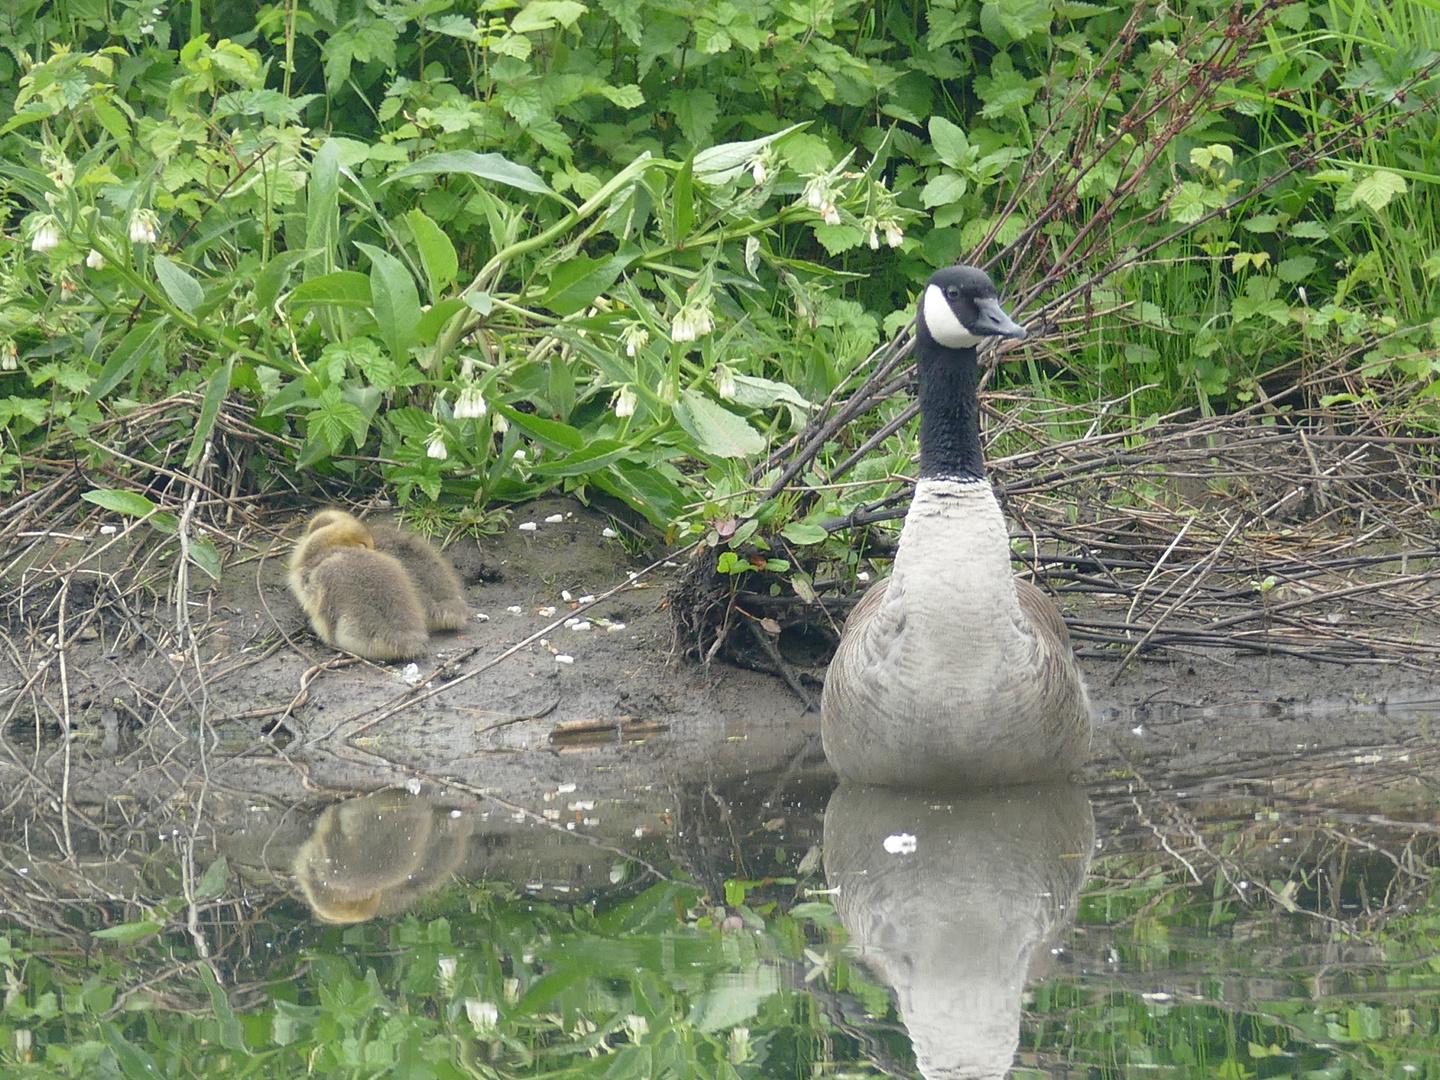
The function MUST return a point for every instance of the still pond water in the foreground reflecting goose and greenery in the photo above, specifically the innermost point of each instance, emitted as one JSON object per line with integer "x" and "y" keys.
{"x": 764, "y": 924}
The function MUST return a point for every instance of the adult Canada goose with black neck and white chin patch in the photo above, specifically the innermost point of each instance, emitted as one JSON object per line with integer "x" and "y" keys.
{"x": 951, "y": 673}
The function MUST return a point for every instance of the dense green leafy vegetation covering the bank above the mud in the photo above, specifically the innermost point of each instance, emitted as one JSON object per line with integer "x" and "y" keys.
{"x": 476, "y": 251}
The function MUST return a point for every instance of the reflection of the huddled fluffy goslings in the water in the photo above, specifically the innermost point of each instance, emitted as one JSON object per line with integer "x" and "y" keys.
{"x": 379, "y": 855}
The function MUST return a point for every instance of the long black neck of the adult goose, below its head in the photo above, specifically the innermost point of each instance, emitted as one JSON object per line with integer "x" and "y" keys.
{"x": 950, "y": 413}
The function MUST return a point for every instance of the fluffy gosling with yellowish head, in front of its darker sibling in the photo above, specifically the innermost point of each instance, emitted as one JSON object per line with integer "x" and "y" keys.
{"x": 358, "y": 600}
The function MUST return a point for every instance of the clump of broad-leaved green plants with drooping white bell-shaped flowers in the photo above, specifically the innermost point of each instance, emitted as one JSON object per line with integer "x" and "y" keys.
{"x": 453, "y": 320}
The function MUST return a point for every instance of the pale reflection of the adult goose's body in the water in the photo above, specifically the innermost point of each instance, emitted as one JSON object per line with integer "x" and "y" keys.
{"x": 955, "y": 901}
